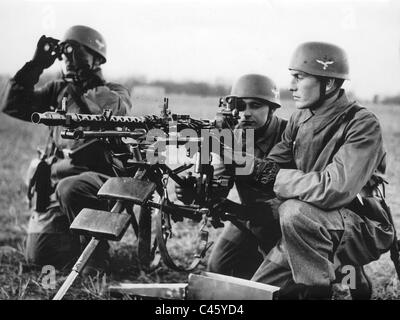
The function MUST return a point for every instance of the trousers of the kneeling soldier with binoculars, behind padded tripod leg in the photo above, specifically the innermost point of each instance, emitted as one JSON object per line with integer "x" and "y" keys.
{"x": 49, "y": 240}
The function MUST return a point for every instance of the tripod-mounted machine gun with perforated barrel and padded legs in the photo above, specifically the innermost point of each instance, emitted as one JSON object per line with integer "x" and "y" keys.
{"x": 146, "y": 179}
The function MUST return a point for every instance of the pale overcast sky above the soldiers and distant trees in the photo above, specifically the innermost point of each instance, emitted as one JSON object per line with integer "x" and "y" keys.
{"x": 215, "y": 40}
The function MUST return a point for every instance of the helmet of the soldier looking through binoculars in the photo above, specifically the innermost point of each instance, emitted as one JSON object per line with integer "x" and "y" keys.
{"x": 89, "y": 38}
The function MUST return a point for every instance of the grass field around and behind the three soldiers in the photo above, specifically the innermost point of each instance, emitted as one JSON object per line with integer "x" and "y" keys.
{"x": 18, "y": 142}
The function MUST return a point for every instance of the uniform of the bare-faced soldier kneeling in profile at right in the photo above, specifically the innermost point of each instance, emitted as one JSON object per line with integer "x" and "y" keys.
{"x": 323, "y": 169}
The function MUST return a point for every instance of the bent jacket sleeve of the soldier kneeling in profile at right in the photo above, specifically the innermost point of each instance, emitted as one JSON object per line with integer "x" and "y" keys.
{"x": 350, "y": 169}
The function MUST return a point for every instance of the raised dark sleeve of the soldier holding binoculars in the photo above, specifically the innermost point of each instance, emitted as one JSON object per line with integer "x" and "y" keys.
{"x": 22, "y": 99}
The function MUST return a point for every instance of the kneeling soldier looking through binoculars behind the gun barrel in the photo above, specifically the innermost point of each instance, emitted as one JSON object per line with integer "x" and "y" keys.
{"x": 75, "y": 179}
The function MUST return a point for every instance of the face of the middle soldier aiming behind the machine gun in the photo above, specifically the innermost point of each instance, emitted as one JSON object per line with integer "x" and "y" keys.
{"x": 254, "y": 113}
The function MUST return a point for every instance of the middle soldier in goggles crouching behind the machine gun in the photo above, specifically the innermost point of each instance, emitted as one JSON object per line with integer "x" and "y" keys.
{"x": 239, "y": 253}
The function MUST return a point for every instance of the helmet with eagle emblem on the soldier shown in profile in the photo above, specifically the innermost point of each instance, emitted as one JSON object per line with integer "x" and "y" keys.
{"x": 321, "y": 59}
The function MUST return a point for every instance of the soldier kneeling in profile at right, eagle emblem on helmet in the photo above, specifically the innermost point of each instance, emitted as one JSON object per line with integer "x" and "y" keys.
{"x": 325, "y": 171}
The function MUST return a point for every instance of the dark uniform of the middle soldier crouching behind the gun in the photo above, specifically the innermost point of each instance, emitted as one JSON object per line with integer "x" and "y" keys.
{"x": 236, "y": 252}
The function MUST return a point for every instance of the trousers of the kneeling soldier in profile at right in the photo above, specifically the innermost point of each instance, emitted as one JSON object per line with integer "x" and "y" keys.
{"x": 315, "y": 243}
